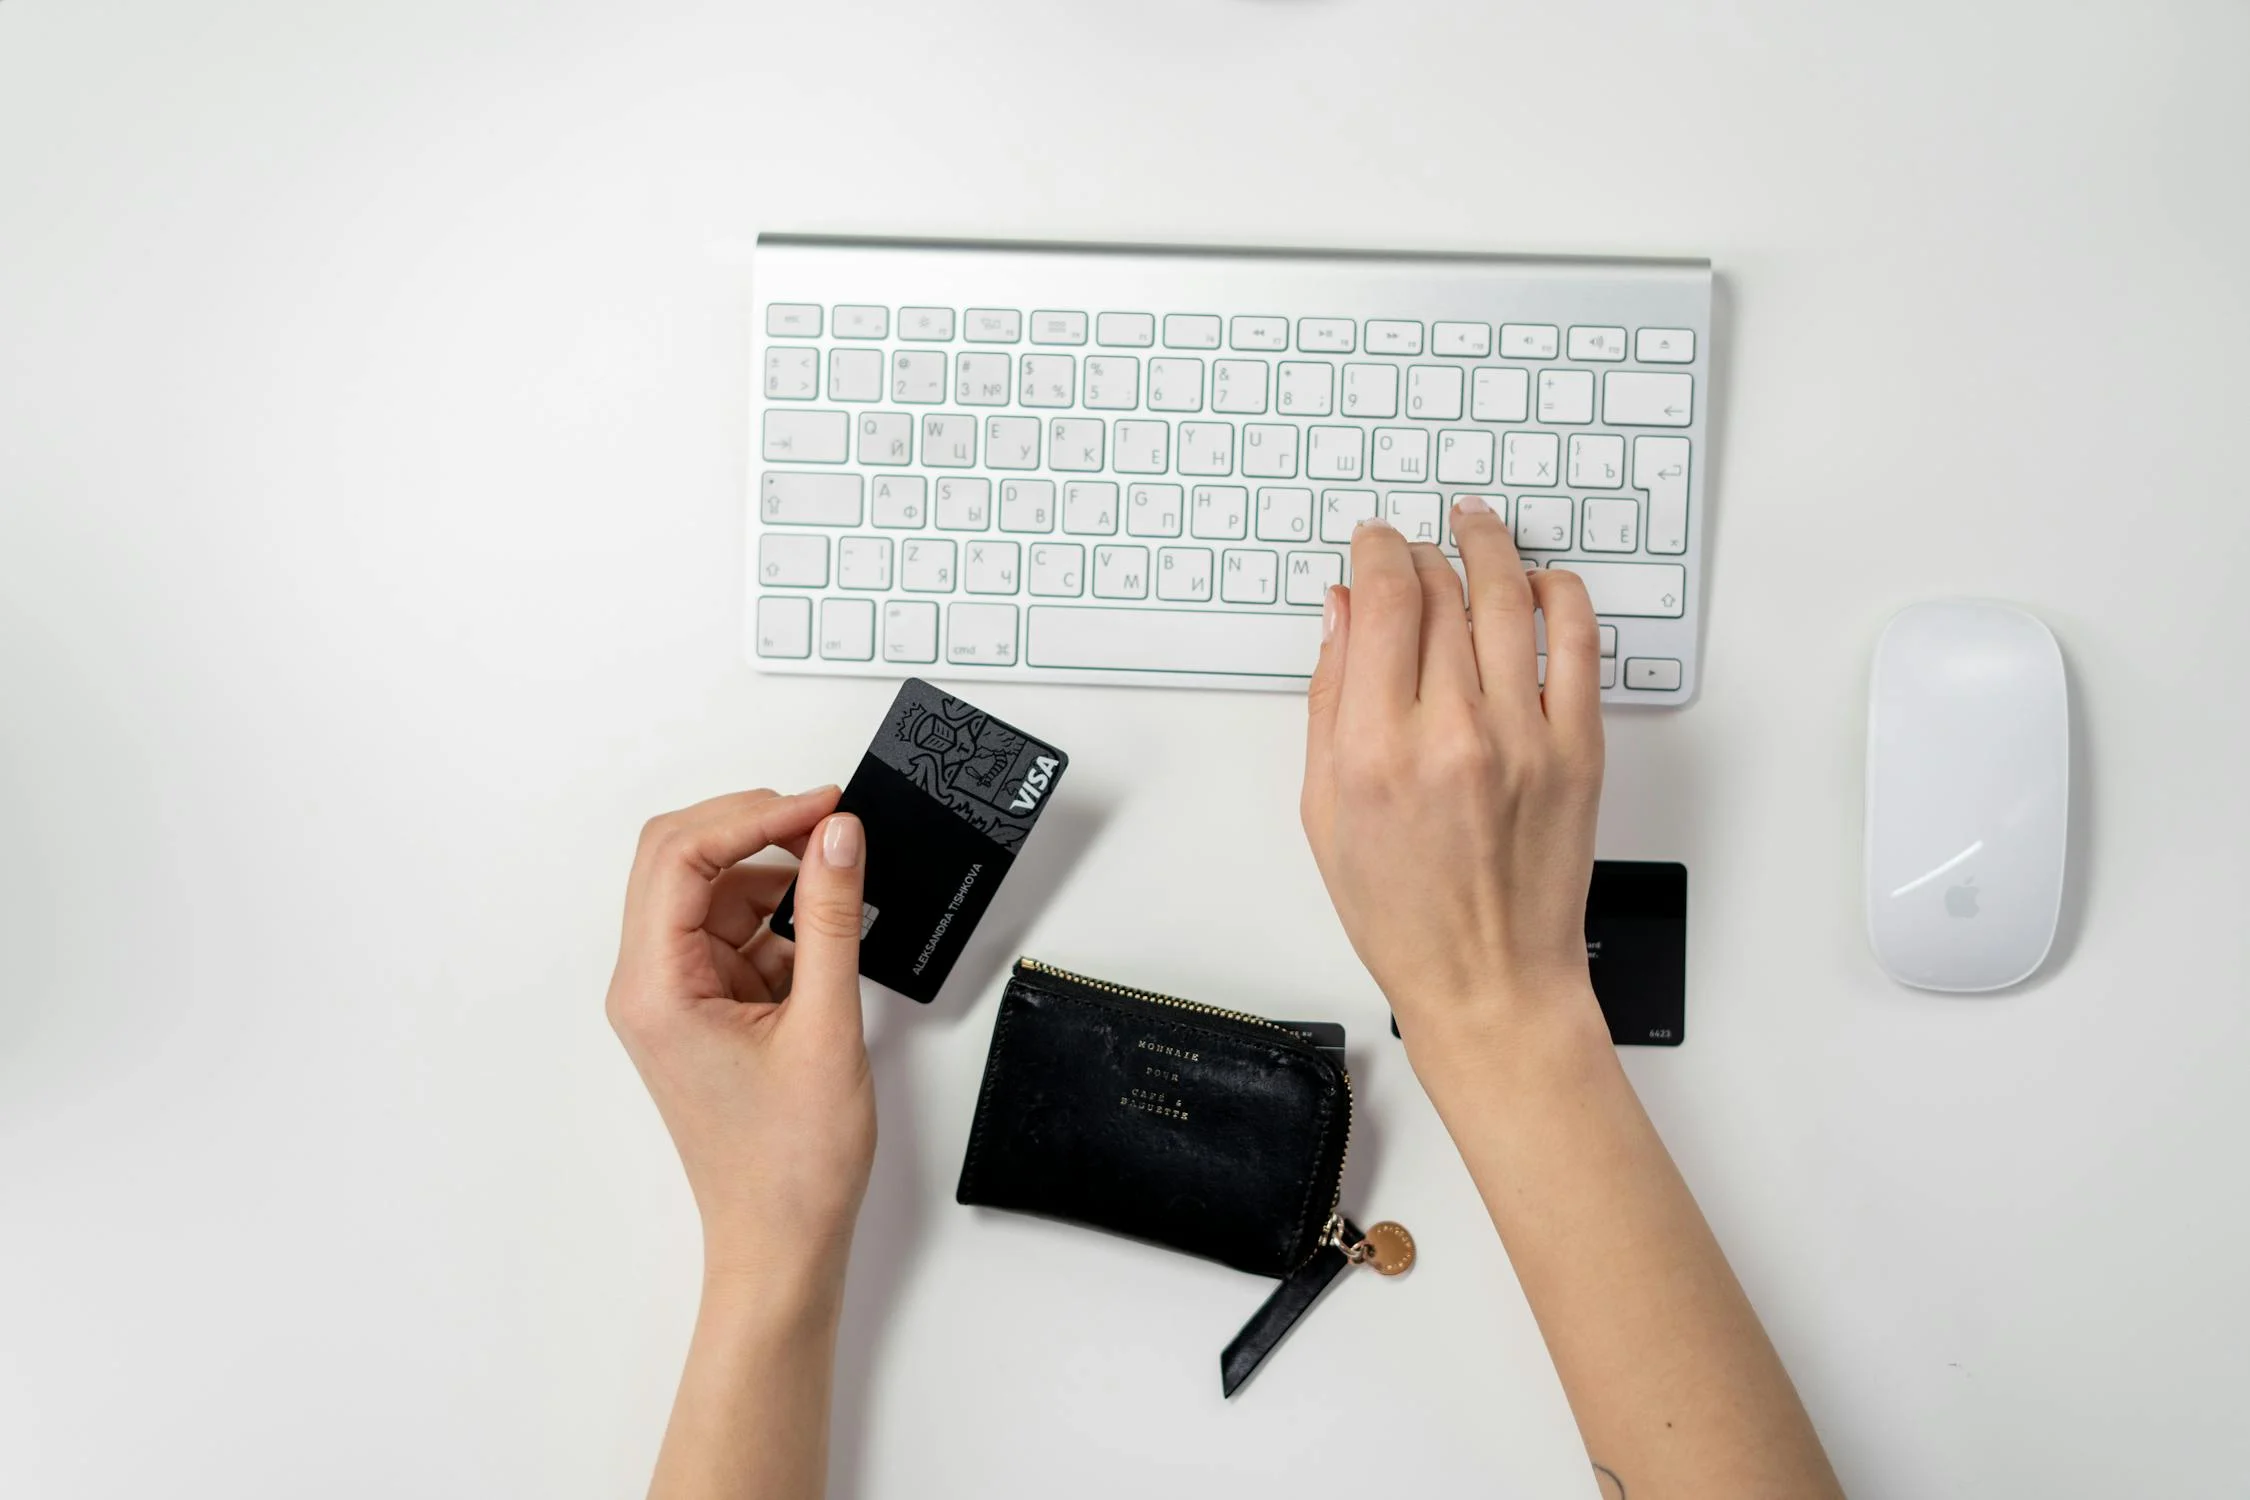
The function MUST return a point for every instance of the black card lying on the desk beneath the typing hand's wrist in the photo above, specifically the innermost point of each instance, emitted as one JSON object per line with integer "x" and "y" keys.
{"x": 1637, "y": 950}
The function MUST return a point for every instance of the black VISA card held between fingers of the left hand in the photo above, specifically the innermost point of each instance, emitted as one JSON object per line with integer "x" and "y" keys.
{"x": 948, "y": 797}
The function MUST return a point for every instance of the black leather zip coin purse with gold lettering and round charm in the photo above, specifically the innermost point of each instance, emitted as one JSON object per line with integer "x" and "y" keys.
{"x": 1203, "y": 1130}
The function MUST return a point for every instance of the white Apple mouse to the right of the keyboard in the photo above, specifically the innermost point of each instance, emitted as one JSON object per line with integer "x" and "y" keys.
{"x": 1968, "y": 795}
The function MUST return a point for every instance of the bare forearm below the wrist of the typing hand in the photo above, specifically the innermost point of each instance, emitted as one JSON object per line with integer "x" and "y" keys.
{"x": 1671, "y": 1375}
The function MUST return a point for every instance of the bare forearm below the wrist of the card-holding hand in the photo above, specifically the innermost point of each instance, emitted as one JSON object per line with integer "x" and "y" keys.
{"x": 750, "y": 1420}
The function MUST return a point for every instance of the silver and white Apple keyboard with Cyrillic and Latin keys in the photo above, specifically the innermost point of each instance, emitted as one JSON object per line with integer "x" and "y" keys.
{"x": 1113, "y": 464}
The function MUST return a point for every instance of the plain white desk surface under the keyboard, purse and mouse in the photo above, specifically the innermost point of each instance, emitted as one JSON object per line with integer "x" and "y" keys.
{"x": 372, "y": 462}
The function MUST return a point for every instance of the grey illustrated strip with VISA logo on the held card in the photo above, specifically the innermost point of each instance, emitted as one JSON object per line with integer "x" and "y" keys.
{"x": 989, "y": 775}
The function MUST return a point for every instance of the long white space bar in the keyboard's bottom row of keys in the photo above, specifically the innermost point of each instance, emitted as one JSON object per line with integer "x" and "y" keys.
{"x": 1205, "y": 642}
